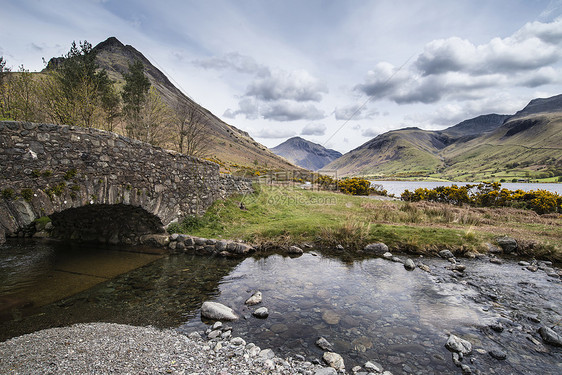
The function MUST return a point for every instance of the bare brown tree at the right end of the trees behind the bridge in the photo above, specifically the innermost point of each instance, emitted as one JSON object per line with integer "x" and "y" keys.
{"x": 190, "y": 129}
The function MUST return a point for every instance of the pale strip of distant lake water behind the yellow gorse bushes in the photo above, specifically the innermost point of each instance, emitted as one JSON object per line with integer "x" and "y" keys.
{"x": 398, "y": 187}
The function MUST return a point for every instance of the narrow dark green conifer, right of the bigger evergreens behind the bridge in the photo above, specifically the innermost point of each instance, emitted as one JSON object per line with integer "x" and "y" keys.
{"x": 134, "y": 96}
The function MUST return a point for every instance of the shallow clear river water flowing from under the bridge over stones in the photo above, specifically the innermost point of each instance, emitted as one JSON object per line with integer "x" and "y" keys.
{"x": 369, "y": 309}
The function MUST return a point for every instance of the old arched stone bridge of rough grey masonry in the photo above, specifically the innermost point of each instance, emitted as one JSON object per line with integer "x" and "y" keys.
{"x": 99, "y": 186}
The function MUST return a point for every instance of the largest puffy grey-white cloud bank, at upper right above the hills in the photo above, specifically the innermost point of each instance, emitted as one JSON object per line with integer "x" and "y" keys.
{"x": 457, "y": 69}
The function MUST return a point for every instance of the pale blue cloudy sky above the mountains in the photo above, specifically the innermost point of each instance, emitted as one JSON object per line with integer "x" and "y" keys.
{"x": 335, "y": 72}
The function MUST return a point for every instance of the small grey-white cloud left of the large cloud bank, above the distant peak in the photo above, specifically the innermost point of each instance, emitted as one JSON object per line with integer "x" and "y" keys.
{"x": 297, "y": 85}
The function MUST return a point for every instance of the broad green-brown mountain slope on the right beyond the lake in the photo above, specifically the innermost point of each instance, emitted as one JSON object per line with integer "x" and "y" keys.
{"x": 527, "y": 144}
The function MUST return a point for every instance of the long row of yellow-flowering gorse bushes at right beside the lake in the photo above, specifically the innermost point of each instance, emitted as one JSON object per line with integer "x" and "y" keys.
{"x": 489, "y": 195}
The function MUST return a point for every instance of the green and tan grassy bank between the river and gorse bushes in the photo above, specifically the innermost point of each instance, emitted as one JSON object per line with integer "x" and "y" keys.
{"x": 285, "y": 216}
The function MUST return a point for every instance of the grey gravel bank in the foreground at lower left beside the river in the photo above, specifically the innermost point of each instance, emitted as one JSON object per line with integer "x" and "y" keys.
{"x": 106, "y": 348}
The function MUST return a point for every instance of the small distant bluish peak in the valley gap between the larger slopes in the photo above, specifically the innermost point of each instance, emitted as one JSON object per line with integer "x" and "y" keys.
{"x": 305, "y": 154}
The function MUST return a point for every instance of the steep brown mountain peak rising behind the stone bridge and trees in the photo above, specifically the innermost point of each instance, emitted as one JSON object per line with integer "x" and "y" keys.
{"x": 229, "y": 145}
